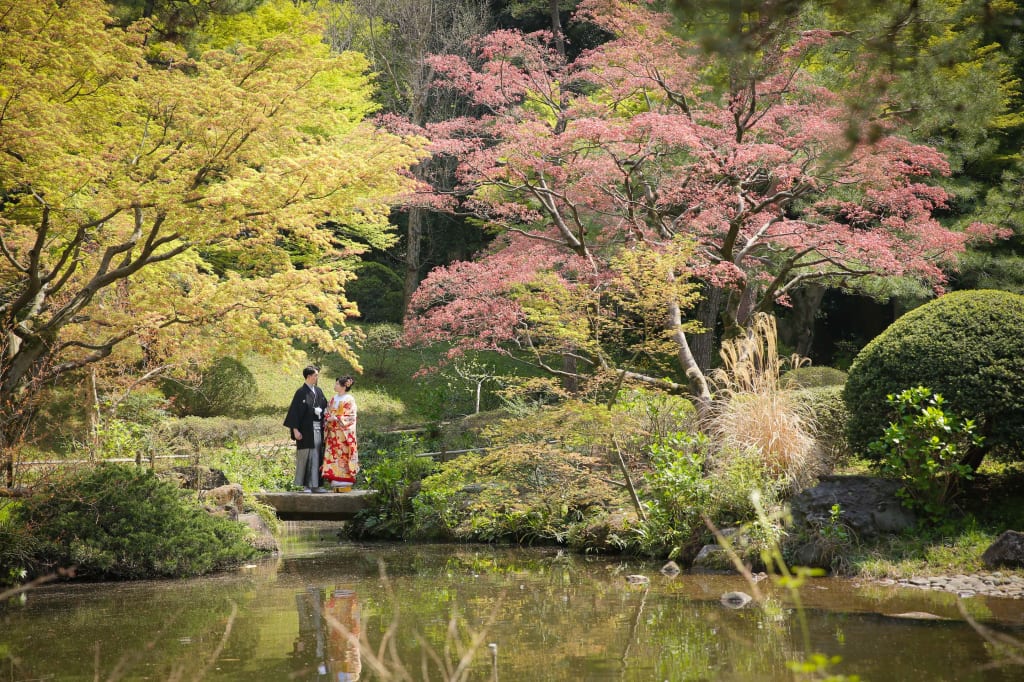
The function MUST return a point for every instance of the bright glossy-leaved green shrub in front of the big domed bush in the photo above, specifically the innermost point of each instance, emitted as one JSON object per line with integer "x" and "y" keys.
{"x": 923, "y": 449}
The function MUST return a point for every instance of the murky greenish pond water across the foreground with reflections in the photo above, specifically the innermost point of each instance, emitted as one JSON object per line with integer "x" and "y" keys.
{"x": 532, "y": 614}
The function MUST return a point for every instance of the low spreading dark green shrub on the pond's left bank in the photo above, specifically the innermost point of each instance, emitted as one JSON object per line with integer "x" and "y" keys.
{"x": 123, "y": 523}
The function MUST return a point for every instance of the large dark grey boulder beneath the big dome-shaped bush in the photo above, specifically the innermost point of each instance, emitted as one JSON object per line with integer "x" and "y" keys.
{"x": 869, "y": 506}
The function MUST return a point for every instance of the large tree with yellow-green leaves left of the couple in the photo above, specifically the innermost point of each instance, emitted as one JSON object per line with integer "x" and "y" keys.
{"x": 183, "y": 203}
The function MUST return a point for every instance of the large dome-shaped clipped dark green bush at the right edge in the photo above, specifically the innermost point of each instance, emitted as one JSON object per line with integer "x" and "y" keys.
{"x": 967, "y": 347}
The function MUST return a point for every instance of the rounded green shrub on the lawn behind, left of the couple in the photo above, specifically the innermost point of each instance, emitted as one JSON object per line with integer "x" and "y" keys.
{"x": 226, "y": 389}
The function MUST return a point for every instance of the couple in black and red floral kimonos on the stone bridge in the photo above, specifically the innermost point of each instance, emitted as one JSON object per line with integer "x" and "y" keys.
{"x": 325, "y": 435}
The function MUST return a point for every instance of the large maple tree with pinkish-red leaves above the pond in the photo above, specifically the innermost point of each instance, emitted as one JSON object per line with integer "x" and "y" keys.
{"x": 632, "y": 147}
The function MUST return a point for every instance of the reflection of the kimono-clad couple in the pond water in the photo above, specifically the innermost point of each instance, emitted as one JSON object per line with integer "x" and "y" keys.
{"x": 323, "y": 647}
